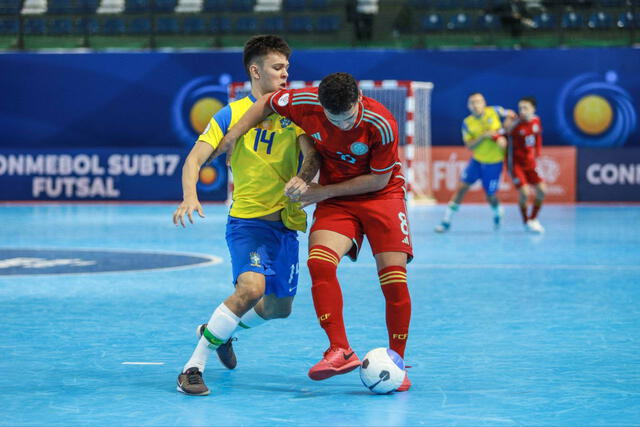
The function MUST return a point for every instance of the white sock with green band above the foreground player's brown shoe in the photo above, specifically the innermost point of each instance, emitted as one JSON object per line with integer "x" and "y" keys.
{"x": 220, "y": 327}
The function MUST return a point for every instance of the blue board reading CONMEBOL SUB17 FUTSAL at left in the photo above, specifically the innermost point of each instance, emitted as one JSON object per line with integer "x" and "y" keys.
{"x": 151, "y": 174}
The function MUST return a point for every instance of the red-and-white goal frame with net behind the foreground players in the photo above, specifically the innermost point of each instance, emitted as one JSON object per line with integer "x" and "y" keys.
{"x": 410, "y": 104}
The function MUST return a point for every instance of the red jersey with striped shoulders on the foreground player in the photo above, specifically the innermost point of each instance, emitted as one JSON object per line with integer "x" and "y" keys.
{"x": 371, "y": 146}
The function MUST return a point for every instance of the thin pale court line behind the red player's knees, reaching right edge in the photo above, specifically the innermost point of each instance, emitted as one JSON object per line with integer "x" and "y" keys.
{"x": 506, "y": 266}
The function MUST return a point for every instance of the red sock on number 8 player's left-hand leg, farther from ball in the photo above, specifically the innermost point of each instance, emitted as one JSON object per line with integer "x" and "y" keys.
{"x": 327, "y": 296}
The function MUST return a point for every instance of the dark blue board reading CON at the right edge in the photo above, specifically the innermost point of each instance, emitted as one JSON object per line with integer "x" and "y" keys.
{"x": 611, "y": 175}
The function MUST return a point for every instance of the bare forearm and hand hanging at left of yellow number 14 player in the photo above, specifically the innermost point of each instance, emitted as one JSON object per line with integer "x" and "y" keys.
{"x": 198, "y": 155}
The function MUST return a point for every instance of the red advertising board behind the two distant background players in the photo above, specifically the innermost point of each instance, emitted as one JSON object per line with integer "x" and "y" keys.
{"x": 556, "y": 165}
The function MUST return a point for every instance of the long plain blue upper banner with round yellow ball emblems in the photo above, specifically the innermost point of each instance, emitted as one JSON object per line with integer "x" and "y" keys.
{"x": 586, "y": 97}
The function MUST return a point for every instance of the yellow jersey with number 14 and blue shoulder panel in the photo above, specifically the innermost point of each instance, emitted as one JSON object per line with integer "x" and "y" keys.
{"x": 263, "y": 161}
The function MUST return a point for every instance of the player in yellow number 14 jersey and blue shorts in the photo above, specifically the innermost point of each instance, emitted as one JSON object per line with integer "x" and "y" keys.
{"x": 263, "y": 222}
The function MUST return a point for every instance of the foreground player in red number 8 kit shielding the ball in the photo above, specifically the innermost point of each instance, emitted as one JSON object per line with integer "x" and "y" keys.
{"x": 360, "y": 192}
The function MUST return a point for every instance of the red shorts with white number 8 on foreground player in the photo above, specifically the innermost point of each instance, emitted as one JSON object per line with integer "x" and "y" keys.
{"x": 384, "y": 221}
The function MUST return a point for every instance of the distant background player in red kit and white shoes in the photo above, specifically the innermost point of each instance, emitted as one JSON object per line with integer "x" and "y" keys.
{"x": 526, "y": 144}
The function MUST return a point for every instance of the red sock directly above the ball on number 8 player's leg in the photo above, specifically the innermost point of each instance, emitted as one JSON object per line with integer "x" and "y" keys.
{"x": 393, "y": 281}
